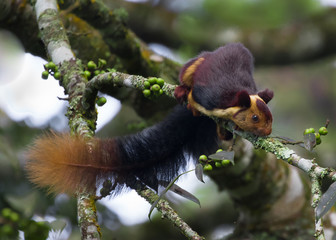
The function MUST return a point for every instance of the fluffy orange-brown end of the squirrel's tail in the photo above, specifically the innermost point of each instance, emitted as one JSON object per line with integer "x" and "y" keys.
{"x": 66, "y": 164}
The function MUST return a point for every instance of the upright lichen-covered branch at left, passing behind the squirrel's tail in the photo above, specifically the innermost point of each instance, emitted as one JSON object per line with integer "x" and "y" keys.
{"x": 55, "y": 39}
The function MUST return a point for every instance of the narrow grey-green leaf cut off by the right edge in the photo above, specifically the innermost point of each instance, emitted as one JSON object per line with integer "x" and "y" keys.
{"x": 328, "y": 199}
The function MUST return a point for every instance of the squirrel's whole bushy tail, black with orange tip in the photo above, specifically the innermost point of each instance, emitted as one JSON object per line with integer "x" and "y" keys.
{"x": 68, "y": 164}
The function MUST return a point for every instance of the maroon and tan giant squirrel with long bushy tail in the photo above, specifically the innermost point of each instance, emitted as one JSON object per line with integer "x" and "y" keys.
{"x": 218, "y": 83}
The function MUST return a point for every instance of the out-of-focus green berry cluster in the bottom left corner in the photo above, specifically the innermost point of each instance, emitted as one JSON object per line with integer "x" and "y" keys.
{"x": 12, "y": 222}
